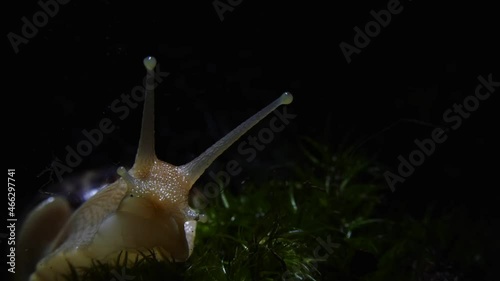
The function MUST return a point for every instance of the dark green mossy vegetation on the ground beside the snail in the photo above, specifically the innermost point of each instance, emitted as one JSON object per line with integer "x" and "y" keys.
{"x": 325, "y": 221}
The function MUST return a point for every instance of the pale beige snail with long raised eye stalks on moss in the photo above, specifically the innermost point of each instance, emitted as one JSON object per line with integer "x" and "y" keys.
{"x": 145, "y": 209}
